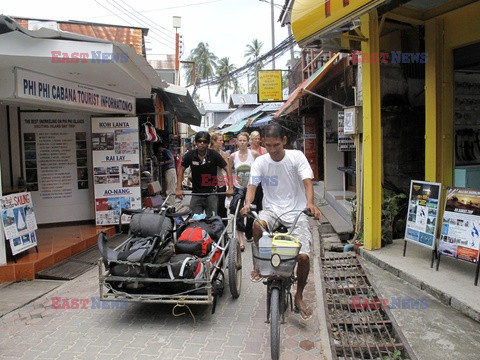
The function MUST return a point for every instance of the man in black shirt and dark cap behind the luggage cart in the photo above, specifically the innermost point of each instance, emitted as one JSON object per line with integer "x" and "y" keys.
{"x": 203, "y": 163}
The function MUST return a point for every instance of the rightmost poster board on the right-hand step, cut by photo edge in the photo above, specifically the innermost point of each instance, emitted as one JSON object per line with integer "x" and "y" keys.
{"x": 460, "y": 237}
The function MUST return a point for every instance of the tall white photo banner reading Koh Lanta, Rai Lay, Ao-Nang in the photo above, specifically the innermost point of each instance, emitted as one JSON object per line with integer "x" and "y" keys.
{"x": 116, "y": 168}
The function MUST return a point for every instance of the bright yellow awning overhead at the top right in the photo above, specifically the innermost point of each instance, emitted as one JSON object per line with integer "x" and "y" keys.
{"x": 313, "y": 19}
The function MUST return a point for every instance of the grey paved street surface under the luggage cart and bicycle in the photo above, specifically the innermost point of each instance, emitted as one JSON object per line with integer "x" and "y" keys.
{"x": 237, "y": 330}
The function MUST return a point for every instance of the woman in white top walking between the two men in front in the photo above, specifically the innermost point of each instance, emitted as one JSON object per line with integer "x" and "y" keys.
{"x": 241, "y": 161}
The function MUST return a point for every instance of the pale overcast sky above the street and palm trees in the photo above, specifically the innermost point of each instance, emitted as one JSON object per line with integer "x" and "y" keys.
{"x": 226, "y": 25}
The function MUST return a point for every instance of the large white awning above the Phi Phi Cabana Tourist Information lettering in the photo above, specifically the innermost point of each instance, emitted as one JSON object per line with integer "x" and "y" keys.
{"x": 34, "y": 51}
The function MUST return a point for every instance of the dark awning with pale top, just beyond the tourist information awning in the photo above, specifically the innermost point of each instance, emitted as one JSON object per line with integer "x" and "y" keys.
{"x": 181, "y": 104}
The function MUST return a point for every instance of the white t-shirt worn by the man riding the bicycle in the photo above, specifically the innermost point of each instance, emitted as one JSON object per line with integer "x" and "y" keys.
{"x": 282, "y": 182}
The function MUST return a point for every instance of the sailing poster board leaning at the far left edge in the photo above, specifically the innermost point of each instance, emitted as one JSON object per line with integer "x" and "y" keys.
{"x": 19, "y": 223}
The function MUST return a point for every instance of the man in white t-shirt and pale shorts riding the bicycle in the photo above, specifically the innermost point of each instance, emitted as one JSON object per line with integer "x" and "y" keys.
{"x": 286, "y": 178}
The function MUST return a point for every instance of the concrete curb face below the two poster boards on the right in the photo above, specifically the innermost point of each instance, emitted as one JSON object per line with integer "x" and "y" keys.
{"x": 444, "y": 298}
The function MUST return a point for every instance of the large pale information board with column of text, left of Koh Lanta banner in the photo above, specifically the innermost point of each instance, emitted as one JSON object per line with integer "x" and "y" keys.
{"x": 56, "y": 153}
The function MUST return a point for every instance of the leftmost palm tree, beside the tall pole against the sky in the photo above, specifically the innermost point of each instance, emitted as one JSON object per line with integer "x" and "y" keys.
{"x": 205, "y": 61}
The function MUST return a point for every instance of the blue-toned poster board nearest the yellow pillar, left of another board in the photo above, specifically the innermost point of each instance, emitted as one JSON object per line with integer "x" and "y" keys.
{"x": 422, "y": 215}
